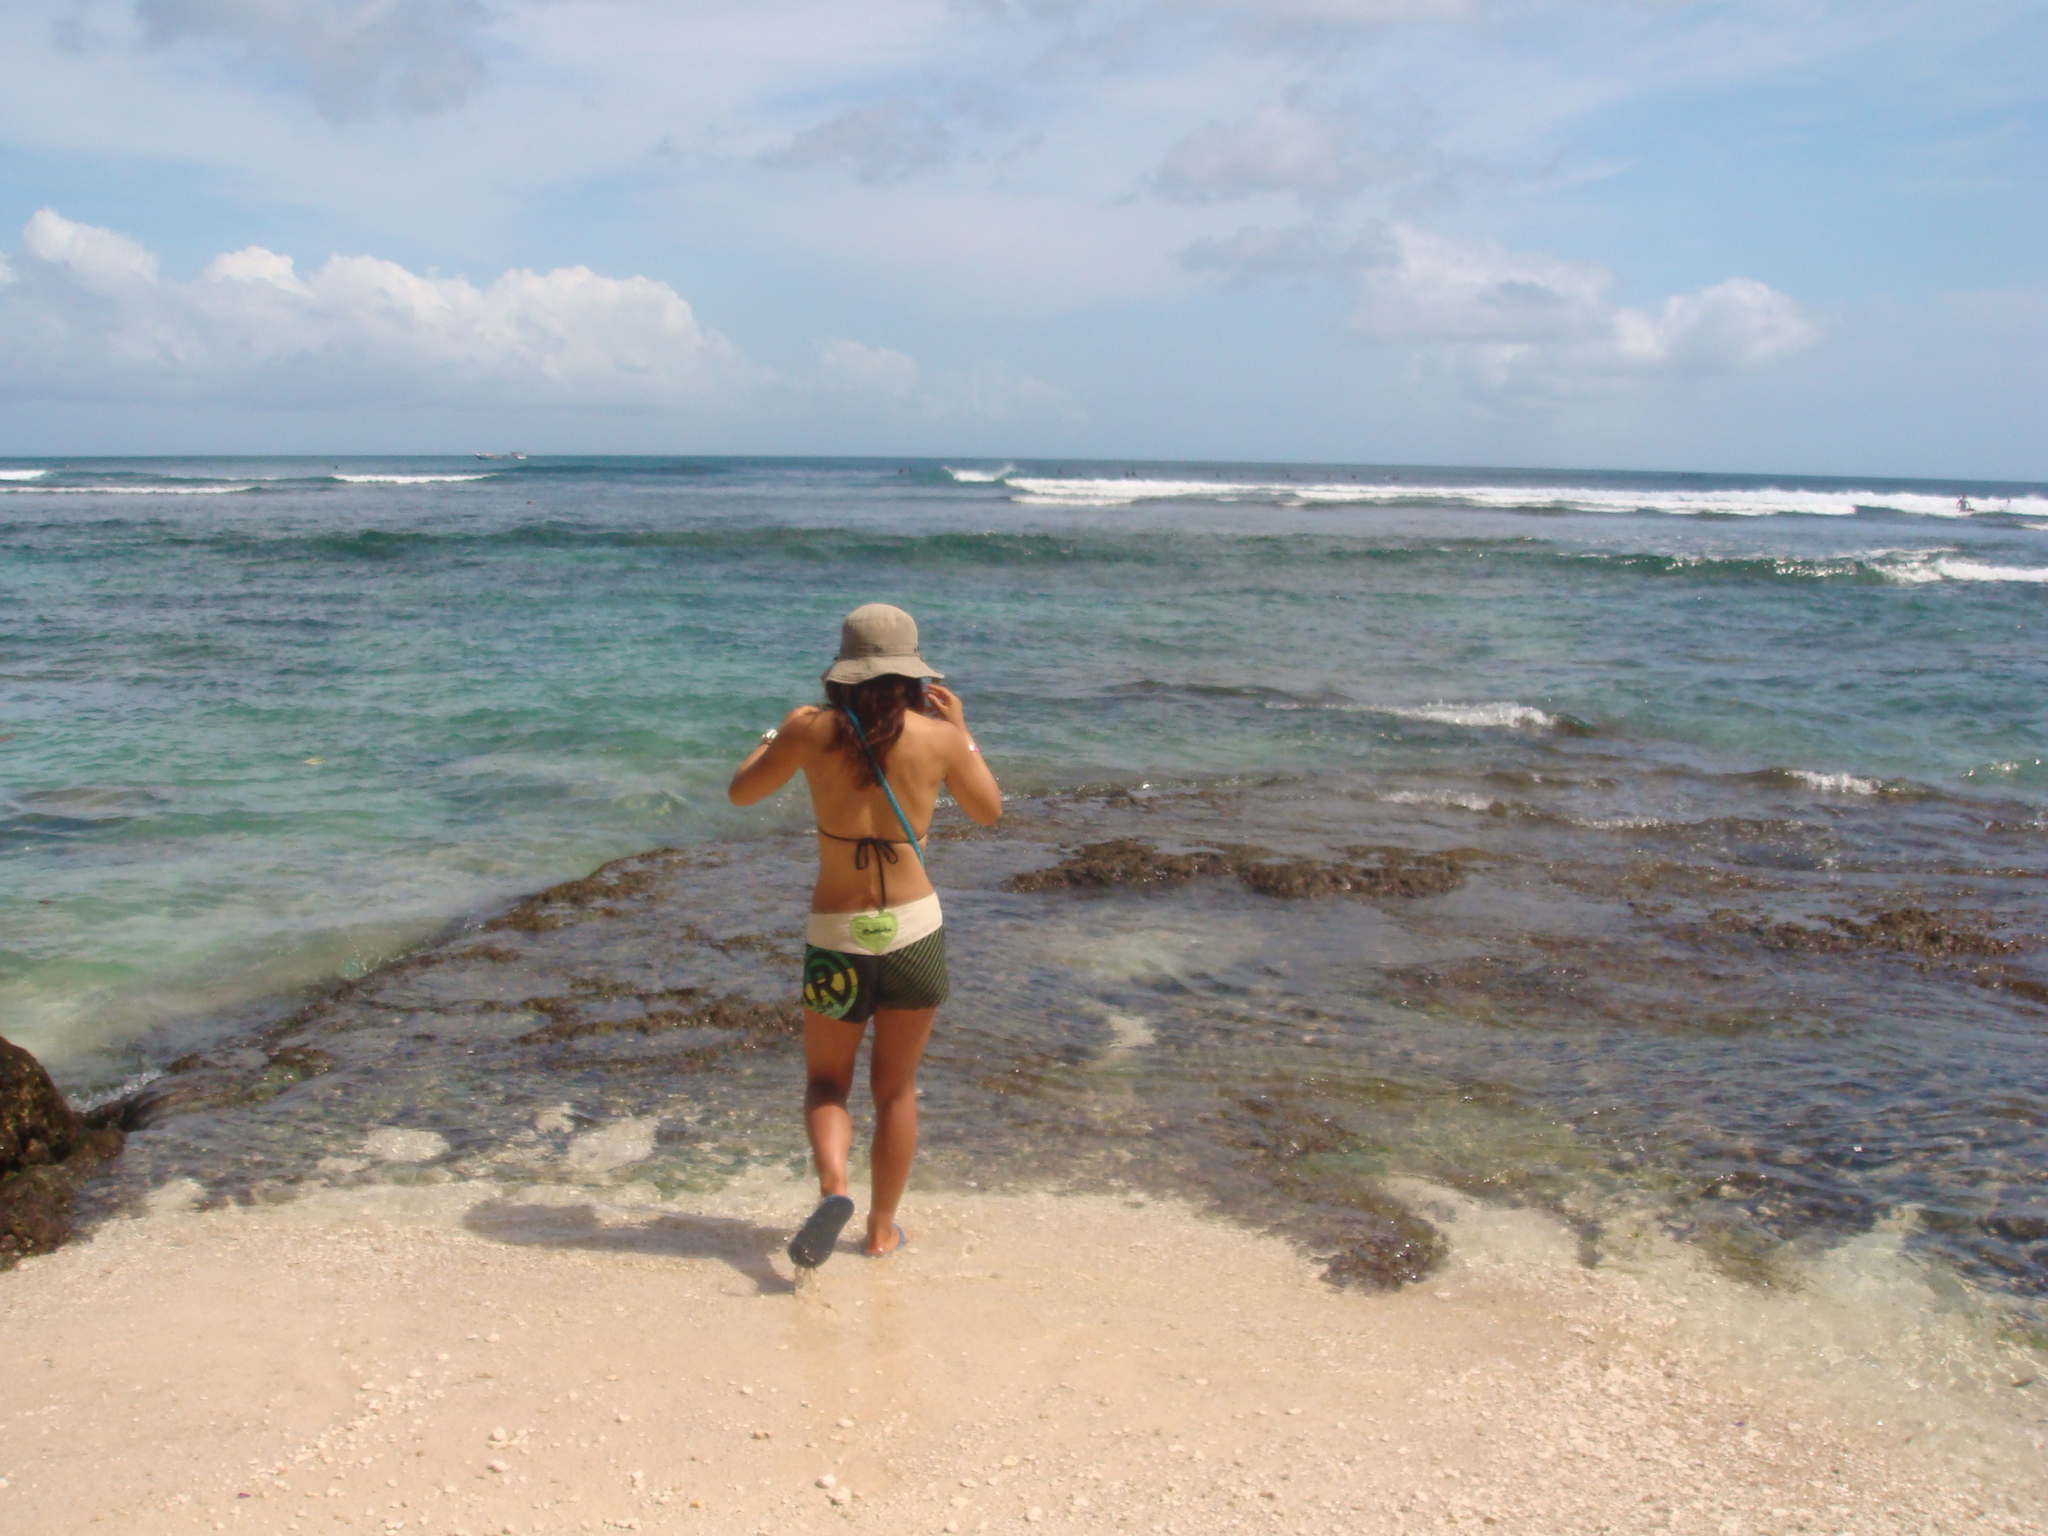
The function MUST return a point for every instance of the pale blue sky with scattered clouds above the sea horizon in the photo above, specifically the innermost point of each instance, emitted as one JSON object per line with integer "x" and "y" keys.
{"x": 1777, "y": 237}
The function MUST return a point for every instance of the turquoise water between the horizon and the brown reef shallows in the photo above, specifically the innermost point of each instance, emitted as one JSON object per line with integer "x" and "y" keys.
{"x": 267, "y": 722}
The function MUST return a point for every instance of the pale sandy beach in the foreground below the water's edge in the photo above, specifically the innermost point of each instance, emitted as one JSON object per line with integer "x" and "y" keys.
{"x": 466, "y": 1359}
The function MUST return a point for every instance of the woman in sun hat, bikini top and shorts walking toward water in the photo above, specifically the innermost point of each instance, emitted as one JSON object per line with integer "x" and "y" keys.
{"x": 876, "y": 759}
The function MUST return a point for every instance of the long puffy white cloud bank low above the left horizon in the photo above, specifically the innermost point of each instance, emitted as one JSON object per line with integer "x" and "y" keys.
{"x": 85, "y": 314}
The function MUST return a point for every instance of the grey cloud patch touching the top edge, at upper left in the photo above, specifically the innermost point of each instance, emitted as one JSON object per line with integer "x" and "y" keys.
{"x": 353, "y": 56}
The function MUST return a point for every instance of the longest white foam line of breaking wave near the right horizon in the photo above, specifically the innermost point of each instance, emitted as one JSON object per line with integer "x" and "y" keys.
{"x": 1512, "y": 499}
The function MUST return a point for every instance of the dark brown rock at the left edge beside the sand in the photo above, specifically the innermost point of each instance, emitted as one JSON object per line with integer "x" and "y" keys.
{"x": 46, "y": 1150}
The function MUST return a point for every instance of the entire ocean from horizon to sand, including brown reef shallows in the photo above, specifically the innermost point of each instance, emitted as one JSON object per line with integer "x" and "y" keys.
{"x": 1641, "y": 847}
